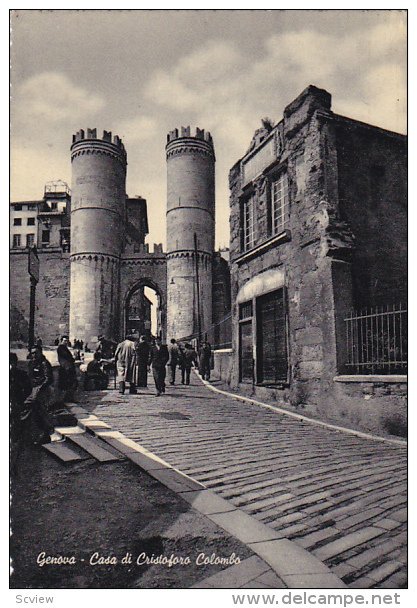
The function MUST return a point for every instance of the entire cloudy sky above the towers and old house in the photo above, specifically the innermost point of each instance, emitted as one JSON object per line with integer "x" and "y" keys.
{"x": 143, "y": 73}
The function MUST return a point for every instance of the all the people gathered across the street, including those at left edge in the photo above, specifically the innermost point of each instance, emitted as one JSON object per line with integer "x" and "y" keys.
{"x": 31, "y": 391}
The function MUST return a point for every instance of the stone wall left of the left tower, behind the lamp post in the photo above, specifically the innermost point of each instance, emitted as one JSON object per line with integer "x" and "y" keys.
{"x": 52, "y": 296}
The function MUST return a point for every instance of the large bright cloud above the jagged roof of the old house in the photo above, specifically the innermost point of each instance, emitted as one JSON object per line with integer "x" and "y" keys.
{"x": 221, "y": 84}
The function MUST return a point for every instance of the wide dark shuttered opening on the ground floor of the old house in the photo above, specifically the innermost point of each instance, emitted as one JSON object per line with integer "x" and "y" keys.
{"x": 271, "y": 339}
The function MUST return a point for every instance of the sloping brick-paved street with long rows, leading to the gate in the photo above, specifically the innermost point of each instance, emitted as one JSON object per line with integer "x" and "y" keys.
{"x": 341, "y": 497}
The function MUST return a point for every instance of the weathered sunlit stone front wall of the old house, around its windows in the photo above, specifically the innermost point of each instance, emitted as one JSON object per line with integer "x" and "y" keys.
{"x": 300, "y": 252}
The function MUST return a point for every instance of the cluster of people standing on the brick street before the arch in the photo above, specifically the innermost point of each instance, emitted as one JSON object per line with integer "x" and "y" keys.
{"x": 134, "y": 360}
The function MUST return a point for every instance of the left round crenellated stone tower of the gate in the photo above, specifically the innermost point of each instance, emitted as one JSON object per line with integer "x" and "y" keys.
{"x": 97, "y": 219}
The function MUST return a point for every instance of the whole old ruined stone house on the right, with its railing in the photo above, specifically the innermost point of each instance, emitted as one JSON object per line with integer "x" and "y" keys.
{"x": 318, "y": 229}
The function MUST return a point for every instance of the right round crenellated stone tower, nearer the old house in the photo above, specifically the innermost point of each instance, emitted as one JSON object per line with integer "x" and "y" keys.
{"x": 190, "y": 231}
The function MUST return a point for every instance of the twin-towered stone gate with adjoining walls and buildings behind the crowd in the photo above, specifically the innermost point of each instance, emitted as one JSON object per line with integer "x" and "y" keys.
{"x": 95, "y": 265}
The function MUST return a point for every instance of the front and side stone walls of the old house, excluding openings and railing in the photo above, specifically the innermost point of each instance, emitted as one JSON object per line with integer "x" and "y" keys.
{"x": 329, "y": 248}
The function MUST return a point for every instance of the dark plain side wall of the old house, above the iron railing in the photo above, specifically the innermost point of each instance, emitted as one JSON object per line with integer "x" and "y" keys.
{"x": 372, "y": 177}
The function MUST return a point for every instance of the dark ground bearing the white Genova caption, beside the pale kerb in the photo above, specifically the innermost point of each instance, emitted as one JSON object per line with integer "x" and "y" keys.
{"x": 91, "y": 510}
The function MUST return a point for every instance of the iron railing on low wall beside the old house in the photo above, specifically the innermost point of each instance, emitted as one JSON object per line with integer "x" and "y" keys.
{"x": 376, "y": 340}
